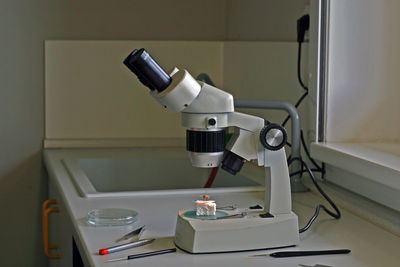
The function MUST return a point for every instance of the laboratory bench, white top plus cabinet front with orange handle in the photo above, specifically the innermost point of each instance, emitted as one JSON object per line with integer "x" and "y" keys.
{"x": 371, "y": 242}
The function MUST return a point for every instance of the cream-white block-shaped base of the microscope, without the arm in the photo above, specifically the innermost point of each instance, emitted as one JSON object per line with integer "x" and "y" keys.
{"x": 236, "y": 234}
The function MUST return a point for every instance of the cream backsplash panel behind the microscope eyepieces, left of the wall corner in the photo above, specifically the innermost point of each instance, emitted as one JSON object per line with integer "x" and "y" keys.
{"x": 109, "y": 103}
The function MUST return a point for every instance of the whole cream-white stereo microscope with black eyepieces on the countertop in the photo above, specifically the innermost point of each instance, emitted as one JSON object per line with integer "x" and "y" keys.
{"x": 207, "y": 112}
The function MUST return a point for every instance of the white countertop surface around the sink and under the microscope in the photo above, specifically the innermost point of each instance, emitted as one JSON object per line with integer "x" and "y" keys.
{"x": 371, "y": 245}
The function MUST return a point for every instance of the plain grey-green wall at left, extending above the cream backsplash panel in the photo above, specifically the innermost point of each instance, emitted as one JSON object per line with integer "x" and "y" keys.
{"x": 24, "y": 25}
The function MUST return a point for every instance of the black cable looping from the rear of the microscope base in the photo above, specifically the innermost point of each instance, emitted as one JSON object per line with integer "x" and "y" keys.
{"x": 336, "y": 215}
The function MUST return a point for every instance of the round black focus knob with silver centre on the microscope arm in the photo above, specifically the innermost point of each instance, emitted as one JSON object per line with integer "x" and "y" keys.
{"x": 273, "y": 137}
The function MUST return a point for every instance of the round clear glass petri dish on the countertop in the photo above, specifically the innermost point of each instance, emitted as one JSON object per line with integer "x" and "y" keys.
{"x": 111, "y": 217}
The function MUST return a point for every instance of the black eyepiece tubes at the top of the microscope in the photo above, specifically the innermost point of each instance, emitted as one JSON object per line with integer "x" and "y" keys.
{"x": 147, "y": 70}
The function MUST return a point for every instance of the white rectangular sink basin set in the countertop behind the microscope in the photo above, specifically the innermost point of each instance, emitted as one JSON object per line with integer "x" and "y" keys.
{"x": 150, "y": 173}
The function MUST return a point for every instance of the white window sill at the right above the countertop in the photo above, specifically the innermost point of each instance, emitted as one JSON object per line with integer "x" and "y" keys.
{"x": 369, "y": 169}
